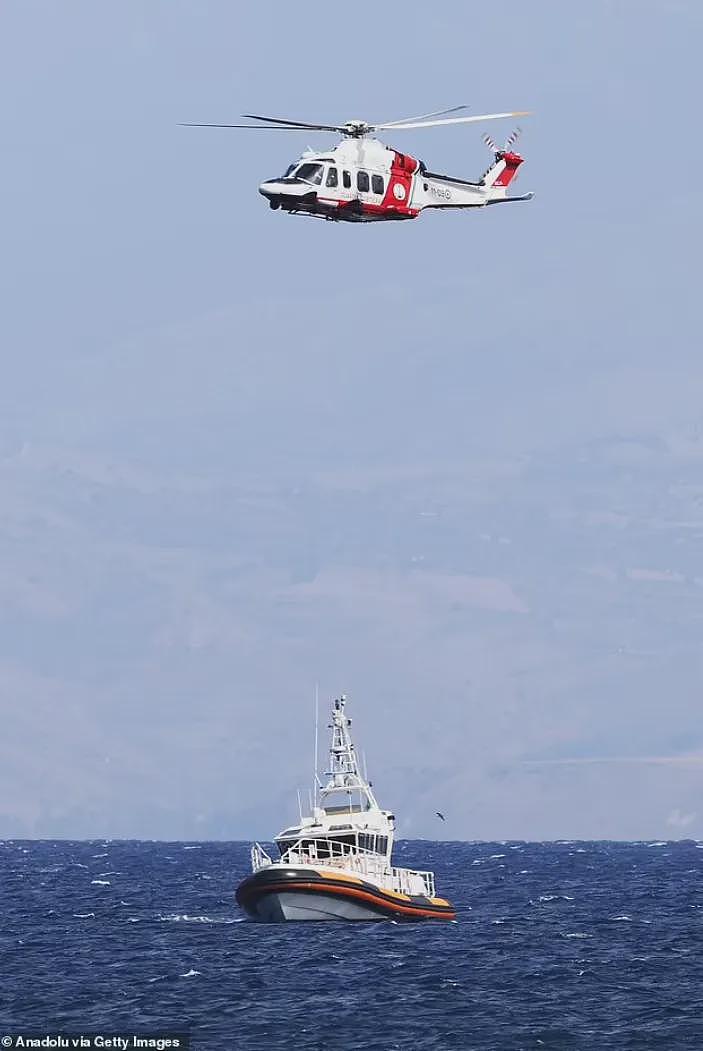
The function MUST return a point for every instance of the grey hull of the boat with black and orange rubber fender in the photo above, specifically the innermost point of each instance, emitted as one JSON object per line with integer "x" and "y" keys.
{"x": 282, "y": 894}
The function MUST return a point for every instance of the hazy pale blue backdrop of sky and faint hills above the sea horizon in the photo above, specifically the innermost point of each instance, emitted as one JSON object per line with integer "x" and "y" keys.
{"x": 452, "y": 468}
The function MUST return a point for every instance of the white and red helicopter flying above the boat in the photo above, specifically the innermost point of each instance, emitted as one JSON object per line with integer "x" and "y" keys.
{"x": 361, "y": 180}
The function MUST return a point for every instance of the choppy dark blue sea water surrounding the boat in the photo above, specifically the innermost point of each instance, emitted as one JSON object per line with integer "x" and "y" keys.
{"x": 557, "y": 946}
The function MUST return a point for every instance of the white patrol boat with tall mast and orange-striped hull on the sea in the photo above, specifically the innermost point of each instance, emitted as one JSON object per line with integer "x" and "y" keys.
{"x": 337, "y": 863}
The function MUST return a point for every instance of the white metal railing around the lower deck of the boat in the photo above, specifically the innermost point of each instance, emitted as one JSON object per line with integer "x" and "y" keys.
{"x": 333, "y": 854}
